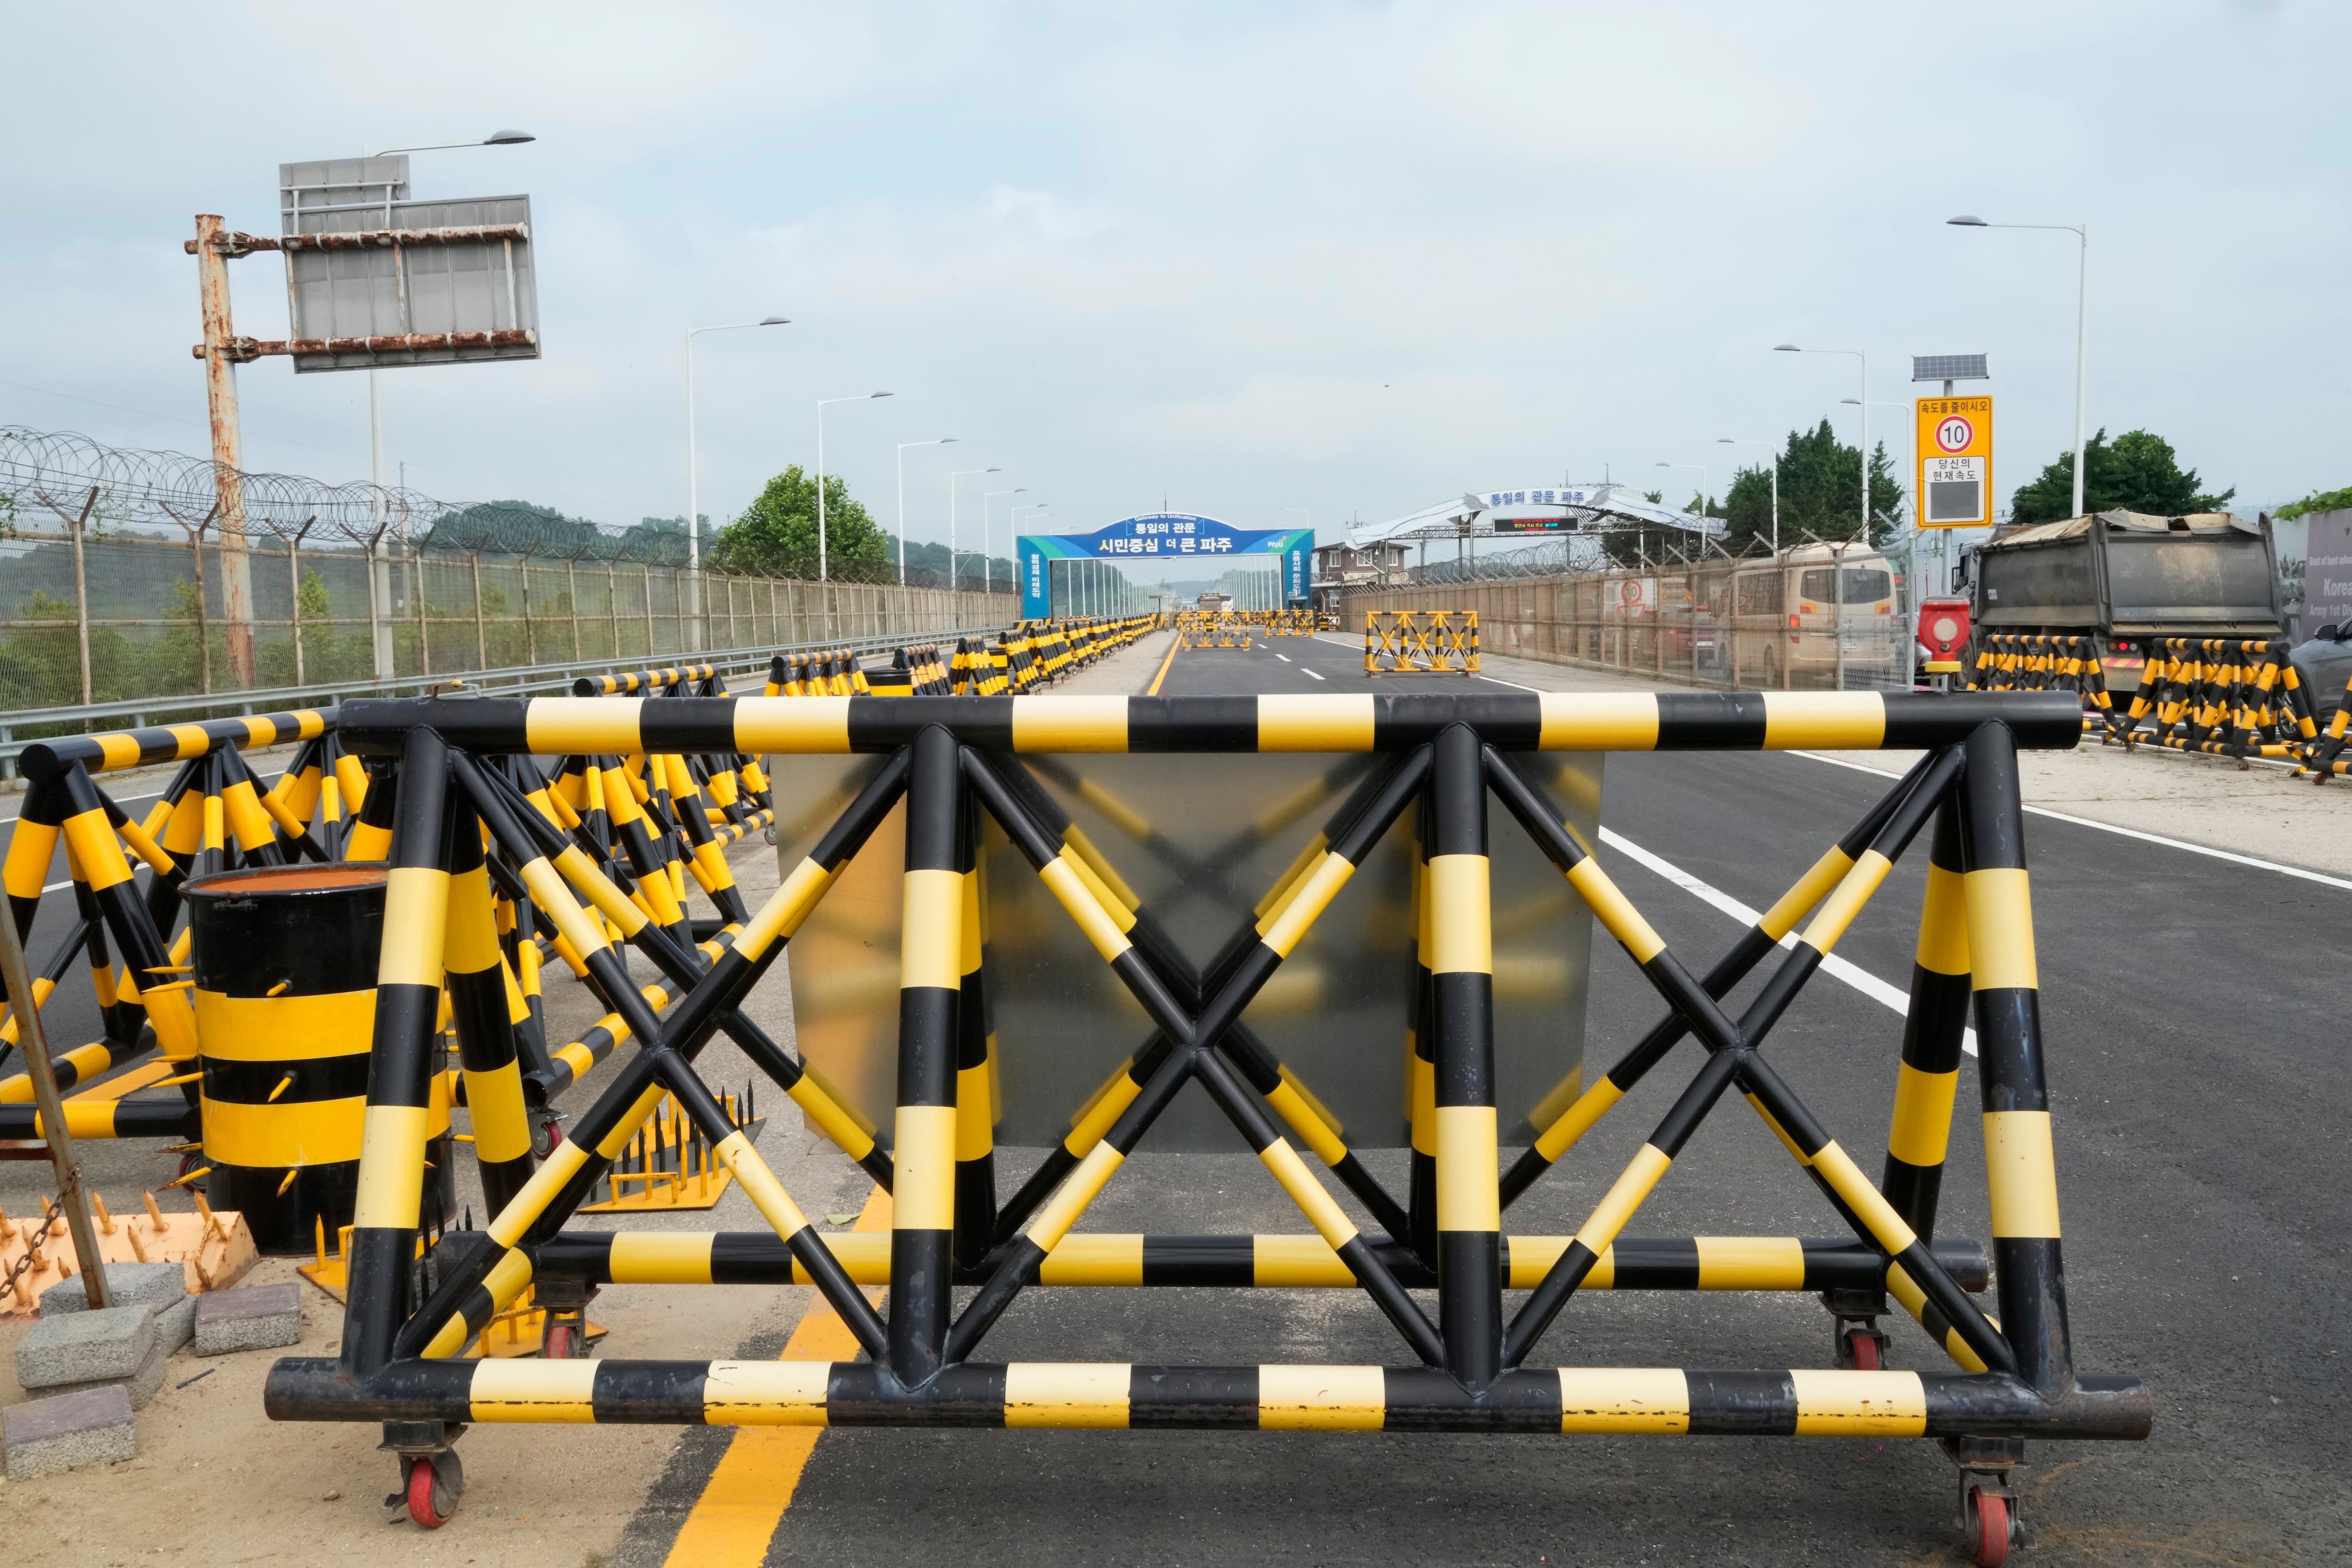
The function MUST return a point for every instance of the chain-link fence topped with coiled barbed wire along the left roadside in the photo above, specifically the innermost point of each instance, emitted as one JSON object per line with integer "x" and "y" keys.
{"x": 121, "y": 582}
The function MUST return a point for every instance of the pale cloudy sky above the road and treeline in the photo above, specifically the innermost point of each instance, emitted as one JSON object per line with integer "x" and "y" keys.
{"x": 1271, "y": 264}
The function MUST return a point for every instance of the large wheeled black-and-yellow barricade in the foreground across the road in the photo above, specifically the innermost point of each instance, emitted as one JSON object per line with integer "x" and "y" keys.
{"x": 940, "y": 765}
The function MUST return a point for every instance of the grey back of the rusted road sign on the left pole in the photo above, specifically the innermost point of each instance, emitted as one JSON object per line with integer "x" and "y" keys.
{"x": 394, "y": 281}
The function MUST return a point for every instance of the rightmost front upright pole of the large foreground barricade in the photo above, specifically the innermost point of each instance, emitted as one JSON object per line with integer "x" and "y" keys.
{"x": 2022, "y": 1170}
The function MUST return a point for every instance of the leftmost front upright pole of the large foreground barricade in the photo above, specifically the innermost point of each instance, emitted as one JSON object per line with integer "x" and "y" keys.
{"x": 410, "y": 974}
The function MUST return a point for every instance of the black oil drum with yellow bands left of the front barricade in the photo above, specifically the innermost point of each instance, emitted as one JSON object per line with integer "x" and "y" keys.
{"x": 286, "y": 1012}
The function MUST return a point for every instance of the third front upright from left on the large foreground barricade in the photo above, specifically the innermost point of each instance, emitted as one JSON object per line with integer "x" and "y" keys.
{"x": 1462, "y": 991}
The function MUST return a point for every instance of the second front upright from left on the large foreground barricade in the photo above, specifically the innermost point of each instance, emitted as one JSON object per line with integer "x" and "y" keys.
{"x": 930, "y": 986}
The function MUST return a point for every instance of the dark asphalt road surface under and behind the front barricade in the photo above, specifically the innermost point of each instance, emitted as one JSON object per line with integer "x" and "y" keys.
{"x": 2193, "y": 1017}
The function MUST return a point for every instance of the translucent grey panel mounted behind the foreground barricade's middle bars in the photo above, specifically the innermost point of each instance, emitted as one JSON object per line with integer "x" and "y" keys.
{"x": 1337, "y": 1012}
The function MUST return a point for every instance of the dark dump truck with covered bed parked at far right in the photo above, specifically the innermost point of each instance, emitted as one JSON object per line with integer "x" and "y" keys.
{"x": 2125, "y": 579}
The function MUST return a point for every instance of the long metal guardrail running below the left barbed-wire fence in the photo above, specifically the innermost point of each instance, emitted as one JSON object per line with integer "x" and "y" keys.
{"x": 507, "y": 681}
